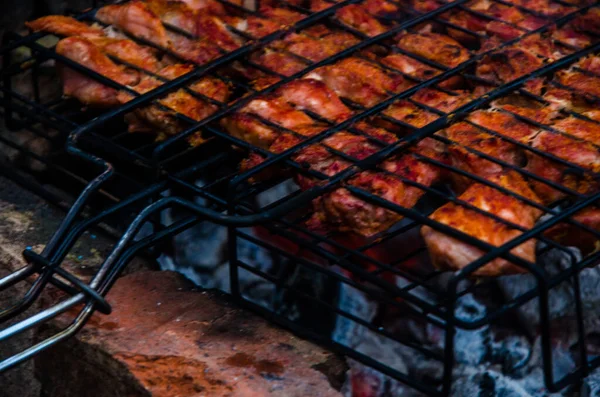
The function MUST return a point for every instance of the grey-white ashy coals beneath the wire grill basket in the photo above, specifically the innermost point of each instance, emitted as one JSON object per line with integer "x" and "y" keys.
{"x": 502, "y": 359}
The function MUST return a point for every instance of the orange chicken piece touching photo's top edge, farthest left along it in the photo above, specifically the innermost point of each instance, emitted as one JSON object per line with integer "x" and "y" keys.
{"x": 135, "y": 18}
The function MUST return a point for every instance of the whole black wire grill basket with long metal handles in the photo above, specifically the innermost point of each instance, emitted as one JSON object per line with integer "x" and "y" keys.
{"x": 125, "y": 180}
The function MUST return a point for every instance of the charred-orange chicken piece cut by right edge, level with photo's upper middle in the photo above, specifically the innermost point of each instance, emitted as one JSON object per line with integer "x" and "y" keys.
{"x": 582, "y": 154}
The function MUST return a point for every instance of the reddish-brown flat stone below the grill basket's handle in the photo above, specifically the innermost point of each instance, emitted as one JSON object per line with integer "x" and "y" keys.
{"x": 165, "y": 338}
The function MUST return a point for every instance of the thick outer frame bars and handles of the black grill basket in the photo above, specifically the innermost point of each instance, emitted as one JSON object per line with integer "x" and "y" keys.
{"x": 47, "y": 264}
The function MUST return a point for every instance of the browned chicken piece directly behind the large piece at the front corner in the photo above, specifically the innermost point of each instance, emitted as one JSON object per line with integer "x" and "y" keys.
{"x": 467, "y": 137}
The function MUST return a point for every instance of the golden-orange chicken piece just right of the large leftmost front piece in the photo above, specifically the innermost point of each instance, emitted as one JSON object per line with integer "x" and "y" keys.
{"x": 181, "y": 101}
